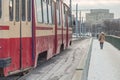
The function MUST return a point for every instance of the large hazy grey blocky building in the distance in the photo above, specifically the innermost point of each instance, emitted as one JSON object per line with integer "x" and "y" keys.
{"x": 97, "y": 16}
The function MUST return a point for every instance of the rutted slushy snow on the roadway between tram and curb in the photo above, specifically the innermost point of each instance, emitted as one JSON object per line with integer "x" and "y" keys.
{"x": 62, "y": 66}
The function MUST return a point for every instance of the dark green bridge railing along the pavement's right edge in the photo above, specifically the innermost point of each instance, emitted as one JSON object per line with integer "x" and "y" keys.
{"x": 114, "y": 40}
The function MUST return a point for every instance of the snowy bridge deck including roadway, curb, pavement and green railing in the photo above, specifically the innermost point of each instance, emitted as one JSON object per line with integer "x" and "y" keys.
{"x": 84, "y": 60}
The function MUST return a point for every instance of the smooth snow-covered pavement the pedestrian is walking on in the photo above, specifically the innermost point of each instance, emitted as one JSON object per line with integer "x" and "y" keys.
{"x": 105, "y": 63}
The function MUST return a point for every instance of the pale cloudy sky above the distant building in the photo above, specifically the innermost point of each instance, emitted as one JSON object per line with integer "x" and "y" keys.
{"x": 112, "y": 5}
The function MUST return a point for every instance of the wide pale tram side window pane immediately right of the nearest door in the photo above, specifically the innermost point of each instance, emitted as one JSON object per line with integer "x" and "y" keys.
{"x": 39, "y": 11}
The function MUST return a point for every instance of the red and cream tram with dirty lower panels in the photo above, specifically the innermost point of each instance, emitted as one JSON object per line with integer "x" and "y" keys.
{"x": 31, "y": 30}
